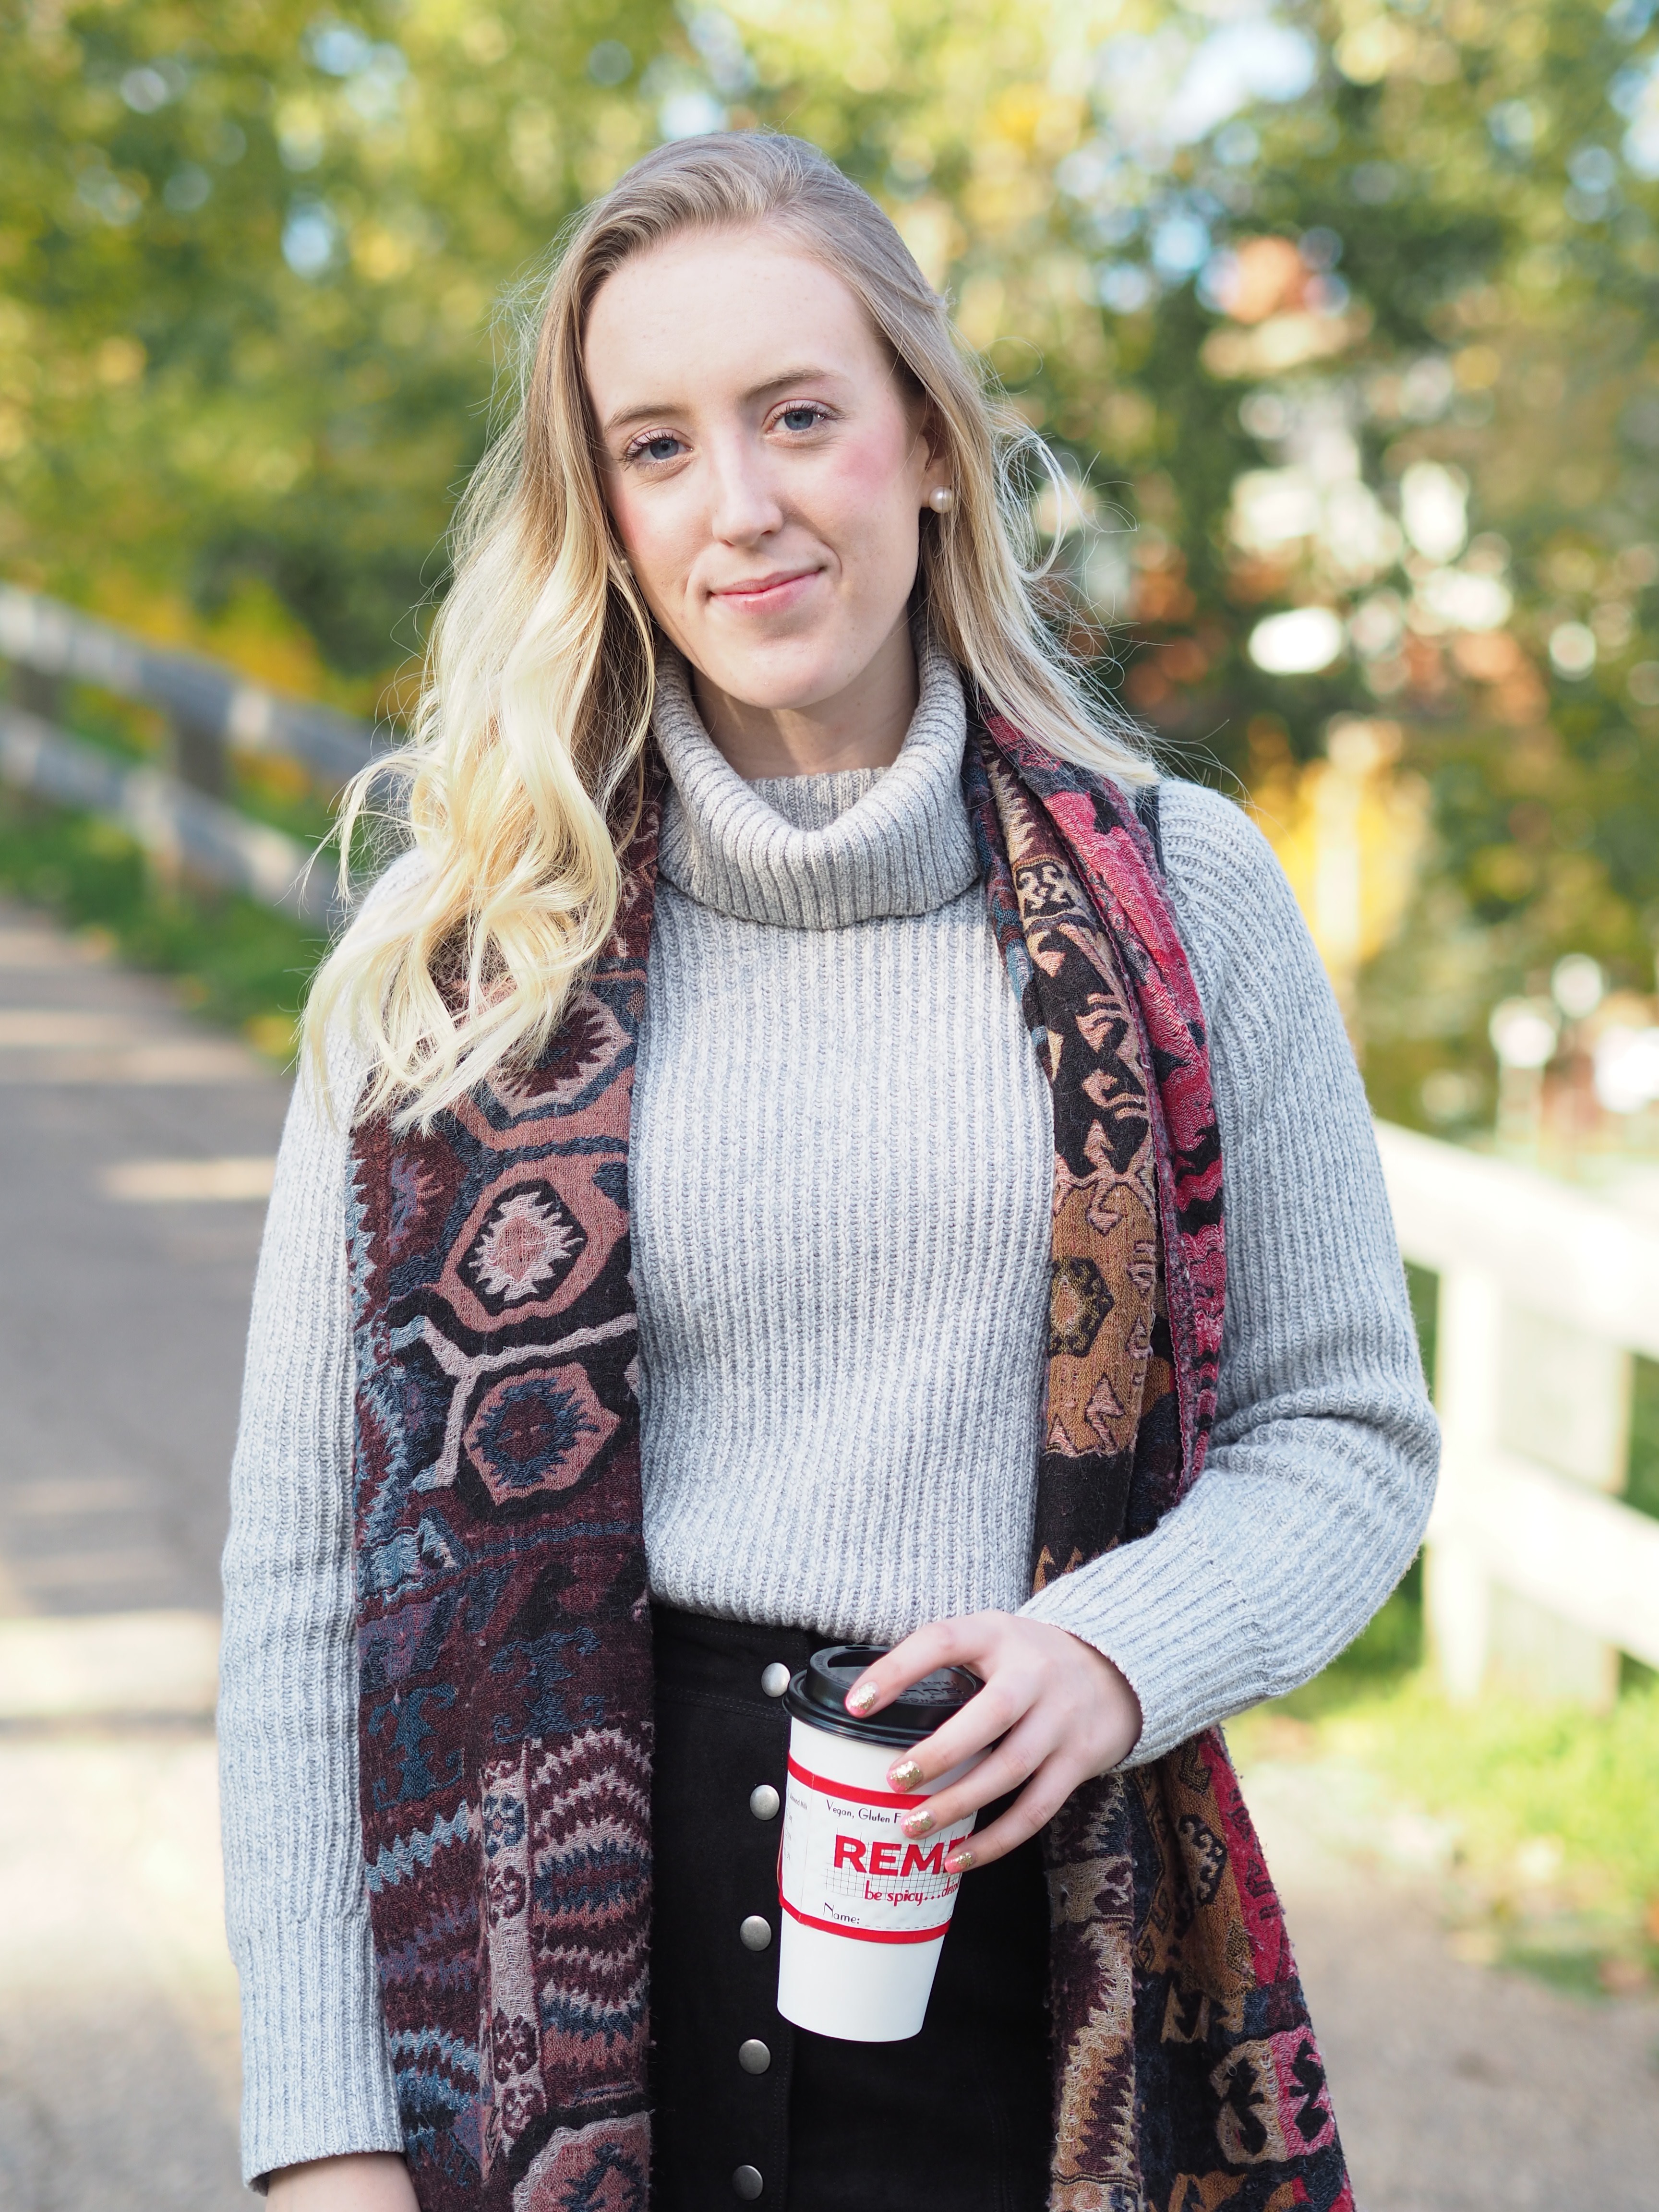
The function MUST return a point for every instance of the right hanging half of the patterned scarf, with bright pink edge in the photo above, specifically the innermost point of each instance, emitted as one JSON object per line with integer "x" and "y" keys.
{"x": 1187, "y": 2069}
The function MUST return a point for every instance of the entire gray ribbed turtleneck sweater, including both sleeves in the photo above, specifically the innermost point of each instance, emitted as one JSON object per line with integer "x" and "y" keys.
{"x": 842, "y": 1167}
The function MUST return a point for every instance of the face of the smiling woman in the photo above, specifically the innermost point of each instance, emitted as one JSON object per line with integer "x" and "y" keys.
{"x": 762, "y": 463}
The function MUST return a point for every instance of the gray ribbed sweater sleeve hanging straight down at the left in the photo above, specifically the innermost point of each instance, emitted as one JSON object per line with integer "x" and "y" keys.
{"x": 317, "y": 2078}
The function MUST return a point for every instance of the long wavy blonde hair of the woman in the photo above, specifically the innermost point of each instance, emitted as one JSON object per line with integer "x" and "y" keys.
{"x": 523, "y": 775}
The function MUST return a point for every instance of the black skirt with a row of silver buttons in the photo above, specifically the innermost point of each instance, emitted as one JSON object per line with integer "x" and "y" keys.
{"x": 954, "y": 2120}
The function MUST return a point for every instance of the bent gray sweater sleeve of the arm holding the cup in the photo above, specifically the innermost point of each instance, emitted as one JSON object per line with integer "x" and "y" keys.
{"x": 1324, "y": 1452}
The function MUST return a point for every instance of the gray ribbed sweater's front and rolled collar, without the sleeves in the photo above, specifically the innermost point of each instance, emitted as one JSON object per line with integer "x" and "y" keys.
{"x": 842, "y": 1198}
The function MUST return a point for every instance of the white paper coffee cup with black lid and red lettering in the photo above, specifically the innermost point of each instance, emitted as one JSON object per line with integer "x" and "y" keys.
{"x": 866, "y": 1908}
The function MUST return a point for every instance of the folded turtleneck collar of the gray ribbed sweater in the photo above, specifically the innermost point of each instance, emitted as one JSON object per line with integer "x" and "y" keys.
{"x": 820, "y": 853}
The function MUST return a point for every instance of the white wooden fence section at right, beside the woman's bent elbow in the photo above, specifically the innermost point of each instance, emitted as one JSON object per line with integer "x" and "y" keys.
{"x": 1536, "y": 1574}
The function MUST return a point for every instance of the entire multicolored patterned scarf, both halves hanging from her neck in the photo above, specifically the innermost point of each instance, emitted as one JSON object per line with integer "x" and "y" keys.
{"x": 505, "y": 1634}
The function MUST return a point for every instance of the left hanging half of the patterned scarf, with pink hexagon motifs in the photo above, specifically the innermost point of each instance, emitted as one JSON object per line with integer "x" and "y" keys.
{"x": 503, "y": 1629}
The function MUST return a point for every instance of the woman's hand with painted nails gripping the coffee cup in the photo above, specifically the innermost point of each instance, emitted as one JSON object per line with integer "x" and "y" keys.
{"x": 1061, "y": 1709}
